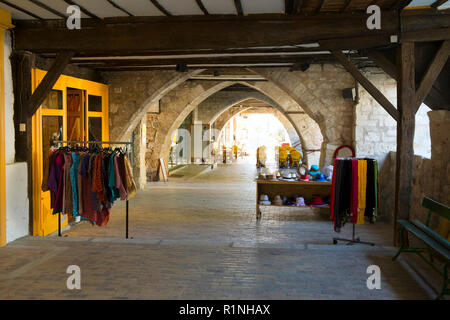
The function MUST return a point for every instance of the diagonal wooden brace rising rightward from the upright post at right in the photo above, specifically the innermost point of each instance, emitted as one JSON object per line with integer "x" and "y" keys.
{"x": 432, "y": 73}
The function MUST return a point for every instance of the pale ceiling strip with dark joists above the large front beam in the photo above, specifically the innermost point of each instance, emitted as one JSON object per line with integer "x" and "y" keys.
{"x": 98, "y": 9}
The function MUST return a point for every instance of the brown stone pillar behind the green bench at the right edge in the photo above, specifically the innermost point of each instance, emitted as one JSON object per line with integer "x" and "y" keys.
{"x": 440, "y": 161}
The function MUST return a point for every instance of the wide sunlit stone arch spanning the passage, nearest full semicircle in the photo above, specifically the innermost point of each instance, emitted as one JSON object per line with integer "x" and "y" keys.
{"x": 179, "y": 102}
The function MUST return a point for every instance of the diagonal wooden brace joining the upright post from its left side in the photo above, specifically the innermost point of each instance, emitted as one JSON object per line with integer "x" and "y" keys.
{"x": 371, "y": 89}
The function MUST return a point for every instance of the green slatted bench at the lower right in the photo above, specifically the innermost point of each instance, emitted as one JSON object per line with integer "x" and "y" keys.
{"x": 435, "y": 243}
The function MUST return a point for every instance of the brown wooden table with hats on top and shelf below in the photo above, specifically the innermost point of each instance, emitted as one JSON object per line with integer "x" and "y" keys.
{"x": 305, "y": 189}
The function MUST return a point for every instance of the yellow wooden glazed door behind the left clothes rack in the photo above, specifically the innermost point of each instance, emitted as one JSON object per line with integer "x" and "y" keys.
{"x": 64, "y": 116}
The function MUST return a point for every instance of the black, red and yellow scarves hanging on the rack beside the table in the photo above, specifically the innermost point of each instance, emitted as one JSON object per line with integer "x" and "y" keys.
{"x": 354, "y": 191}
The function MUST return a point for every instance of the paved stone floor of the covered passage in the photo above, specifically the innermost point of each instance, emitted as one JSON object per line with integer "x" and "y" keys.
{"x": 197, "y": 238}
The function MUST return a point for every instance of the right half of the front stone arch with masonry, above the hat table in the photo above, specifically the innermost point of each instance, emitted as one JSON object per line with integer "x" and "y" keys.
{"x": 330, "y": 110}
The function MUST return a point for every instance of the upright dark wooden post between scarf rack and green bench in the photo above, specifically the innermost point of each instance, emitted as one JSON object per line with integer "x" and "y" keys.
{"x": 405, "y": 135}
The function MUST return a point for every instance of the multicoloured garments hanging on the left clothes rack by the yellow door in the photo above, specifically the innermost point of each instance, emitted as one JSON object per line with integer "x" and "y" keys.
{"x": 85, "y": 182}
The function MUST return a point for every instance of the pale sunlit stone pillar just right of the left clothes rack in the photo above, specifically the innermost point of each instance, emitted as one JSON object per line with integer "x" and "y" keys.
{"x": 140, "y": 149}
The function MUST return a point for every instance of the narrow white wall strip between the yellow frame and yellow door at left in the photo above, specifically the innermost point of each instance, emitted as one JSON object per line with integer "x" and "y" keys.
{"x": 17, "y": 204}
